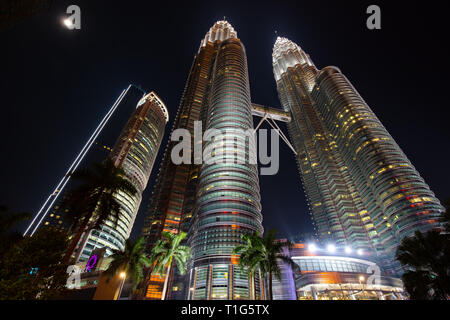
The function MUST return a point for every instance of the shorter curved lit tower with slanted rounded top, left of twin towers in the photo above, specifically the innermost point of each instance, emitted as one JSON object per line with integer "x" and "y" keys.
{"x": 135, "y": 151}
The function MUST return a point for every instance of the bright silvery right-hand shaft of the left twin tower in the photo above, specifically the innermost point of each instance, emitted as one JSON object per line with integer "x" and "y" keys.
{"x": 228, "y": 202}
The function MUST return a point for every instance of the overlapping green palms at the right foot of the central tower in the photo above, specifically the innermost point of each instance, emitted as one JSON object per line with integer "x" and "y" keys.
{"x": 263, "y": 254}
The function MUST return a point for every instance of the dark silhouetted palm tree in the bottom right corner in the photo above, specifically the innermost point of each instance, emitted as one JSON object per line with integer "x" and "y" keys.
{"x": 426, "y": 257}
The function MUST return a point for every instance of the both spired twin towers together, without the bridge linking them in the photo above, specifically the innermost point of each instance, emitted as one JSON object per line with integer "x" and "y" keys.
{"x": 361, "y": 188}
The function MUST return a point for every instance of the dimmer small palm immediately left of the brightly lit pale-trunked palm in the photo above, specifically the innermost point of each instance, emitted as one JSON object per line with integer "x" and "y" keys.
{"x": 131, "y": 261}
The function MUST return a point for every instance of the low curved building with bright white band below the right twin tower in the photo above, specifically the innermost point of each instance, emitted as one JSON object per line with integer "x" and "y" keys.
{"x": 324, "y": 275}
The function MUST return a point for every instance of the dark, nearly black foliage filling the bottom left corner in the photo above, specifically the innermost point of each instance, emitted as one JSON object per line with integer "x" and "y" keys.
{"x": 44, "y": 251}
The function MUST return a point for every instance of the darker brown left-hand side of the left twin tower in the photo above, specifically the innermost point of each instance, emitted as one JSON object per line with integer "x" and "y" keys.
{"x": 173, "y": 198}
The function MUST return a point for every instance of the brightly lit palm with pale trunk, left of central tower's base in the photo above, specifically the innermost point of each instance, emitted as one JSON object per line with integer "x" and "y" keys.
{"x": 165, "y": 251}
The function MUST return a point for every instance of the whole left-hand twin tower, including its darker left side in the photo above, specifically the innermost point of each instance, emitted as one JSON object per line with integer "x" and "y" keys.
{"x": 215, "y": 203}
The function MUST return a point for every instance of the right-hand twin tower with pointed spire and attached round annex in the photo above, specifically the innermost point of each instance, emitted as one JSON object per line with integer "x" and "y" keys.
{"x": 361, "y": 188}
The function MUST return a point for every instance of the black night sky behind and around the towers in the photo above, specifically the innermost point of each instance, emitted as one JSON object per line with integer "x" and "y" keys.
{"x": 56, "y": 84}
